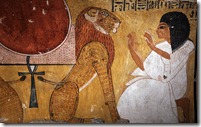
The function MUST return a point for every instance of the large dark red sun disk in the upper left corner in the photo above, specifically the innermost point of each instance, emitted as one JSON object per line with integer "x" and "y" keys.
{"x": 33, "y": 26}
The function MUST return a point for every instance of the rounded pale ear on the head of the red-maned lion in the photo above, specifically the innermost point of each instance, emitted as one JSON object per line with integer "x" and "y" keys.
{"x": 91, "y": 15}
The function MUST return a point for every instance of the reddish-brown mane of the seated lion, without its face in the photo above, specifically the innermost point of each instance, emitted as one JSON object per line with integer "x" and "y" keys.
{"x": 86, "y": 33}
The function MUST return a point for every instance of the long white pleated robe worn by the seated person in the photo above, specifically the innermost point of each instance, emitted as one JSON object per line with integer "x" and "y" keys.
{"x": 150, "y": 97}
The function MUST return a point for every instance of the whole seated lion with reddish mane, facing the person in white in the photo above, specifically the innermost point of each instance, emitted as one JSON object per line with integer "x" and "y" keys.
{"x": 95, "y": 54}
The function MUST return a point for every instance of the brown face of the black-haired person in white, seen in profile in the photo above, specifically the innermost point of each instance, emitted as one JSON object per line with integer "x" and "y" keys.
{"x": 163, "y": 31}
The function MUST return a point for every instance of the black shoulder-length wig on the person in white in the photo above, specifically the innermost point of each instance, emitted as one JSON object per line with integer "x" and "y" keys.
{"x": 179, "y": 28}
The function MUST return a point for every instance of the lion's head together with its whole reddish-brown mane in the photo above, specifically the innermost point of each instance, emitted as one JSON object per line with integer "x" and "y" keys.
{"x": 95, "y": 24}
